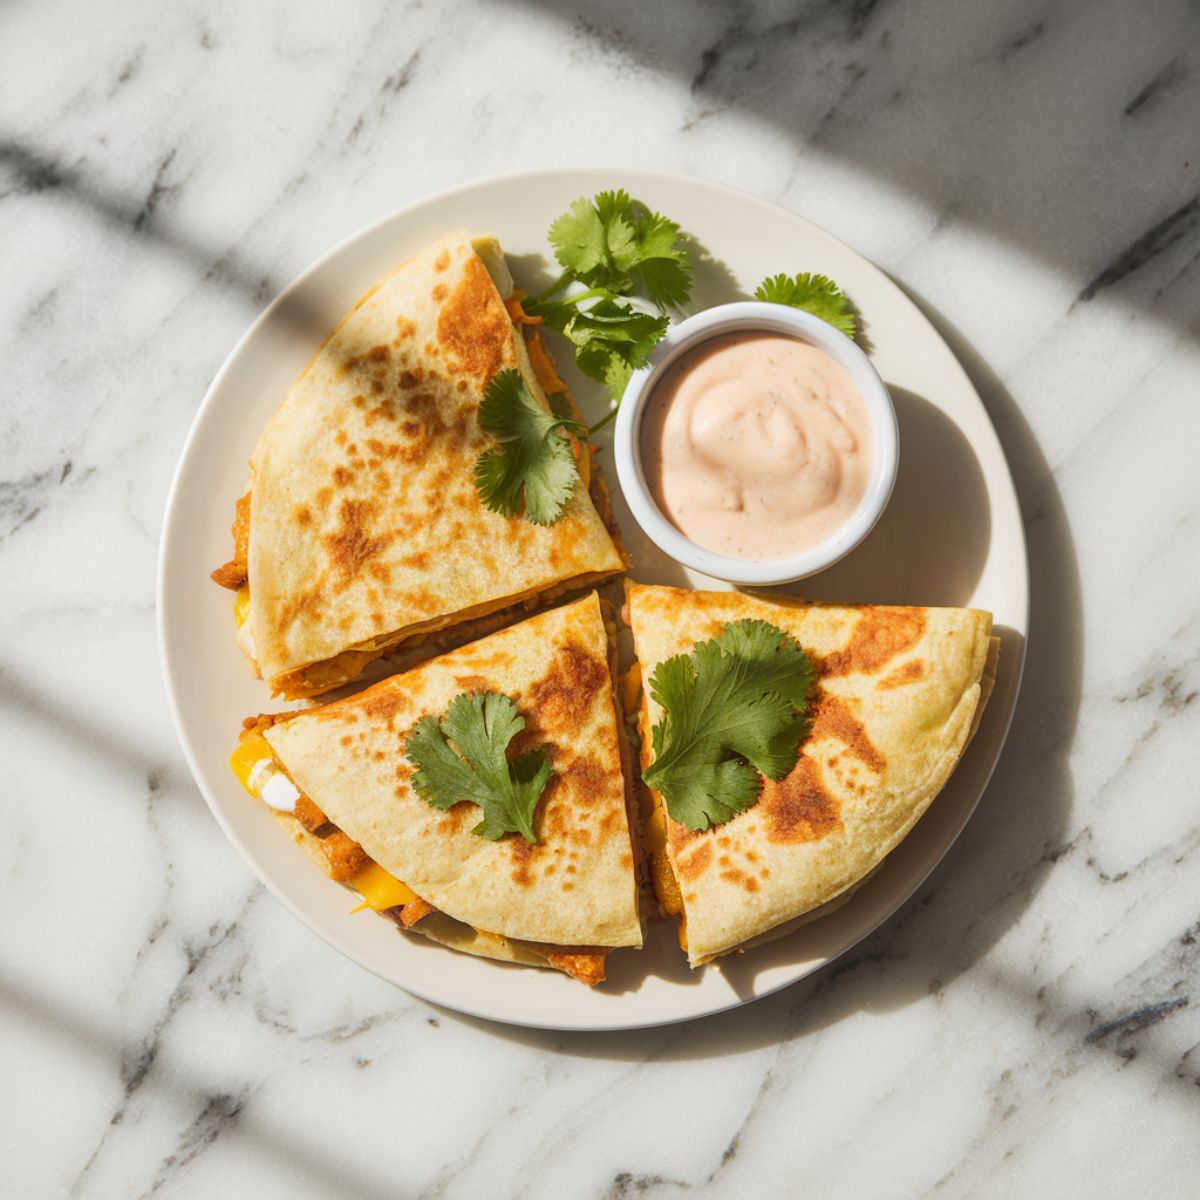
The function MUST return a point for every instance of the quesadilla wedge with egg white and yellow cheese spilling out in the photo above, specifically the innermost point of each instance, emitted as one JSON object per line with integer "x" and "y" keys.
{"x": 347, "y": 783}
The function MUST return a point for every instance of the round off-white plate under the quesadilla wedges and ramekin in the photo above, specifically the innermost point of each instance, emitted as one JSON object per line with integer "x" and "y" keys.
{"x": 952, "y": 536}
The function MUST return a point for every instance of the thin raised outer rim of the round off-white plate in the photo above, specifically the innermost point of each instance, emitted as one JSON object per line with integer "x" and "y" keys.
{"x": 176, "y": 500}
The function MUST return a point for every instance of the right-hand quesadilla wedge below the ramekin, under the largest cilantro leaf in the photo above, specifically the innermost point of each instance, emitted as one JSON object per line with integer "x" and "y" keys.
{"x": 895, "y": 697}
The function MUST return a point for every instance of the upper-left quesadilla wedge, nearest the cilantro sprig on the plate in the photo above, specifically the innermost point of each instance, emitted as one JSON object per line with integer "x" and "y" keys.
{"x": 363, "y": 529}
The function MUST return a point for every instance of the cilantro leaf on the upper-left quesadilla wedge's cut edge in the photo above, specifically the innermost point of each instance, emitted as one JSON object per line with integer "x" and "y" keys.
{"x": 533, "y": 454}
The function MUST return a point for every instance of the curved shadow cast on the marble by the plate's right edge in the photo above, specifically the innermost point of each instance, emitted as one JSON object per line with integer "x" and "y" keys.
{"x": 998, "y": 866}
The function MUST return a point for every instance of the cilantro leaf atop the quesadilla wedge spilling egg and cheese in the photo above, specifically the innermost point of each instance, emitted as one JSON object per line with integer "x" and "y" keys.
{"x": 463, "y": 758}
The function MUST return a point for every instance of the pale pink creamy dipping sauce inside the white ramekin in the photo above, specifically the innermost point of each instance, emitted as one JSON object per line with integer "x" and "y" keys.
{"x": 757, "y": 446}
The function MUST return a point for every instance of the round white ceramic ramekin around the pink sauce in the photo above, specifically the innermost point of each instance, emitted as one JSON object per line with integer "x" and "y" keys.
{"x": 754, "y": 315}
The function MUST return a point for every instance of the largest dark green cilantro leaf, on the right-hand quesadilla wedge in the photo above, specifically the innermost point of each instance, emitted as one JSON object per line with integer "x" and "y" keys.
{"x": 734, "y": 710}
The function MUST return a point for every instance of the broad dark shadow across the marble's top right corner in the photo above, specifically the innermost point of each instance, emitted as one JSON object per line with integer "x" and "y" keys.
{"x": 1009, "y": 121}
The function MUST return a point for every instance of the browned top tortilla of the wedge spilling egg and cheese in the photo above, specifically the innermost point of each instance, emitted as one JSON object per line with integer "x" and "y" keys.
{"x": 578, "y": 887}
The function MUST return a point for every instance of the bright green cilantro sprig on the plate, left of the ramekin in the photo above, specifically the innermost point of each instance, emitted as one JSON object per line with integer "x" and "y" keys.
{"x": 623, "y": 269}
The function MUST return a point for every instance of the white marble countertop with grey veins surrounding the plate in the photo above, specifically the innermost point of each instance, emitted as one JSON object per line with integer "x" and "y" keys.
{"x": 1029, "y": 1025}
